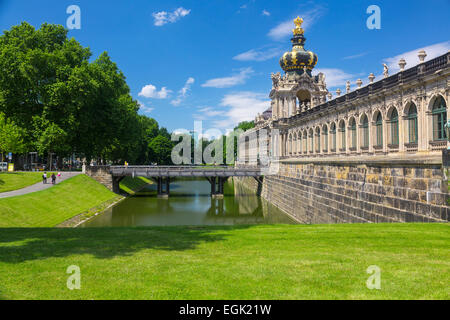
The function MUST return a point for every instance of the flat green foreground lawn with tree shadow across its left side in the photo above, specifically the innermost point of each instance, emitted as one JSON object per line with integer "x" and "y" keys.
{"x": 240, "y": 262}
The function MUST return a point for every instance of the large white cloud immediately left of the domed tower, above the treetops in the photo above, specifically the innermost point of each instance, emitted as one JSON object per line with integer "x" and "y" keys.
{"x": 242, "y": 106}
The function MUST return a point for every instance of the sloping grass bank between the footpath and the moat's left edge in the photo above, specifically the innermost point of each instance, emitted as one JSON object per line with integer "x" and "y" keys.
{"x": 52, "y": 206}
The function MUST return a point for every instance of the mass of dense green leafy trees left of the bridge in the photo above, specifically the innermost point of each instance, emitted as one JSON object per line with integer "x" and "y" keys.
{"x": 60, "y": 102}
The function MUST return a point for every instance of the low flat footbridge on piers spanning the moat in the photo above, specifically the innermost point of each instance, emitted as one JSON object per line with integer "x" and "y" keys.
{"x": 110, "y": 176}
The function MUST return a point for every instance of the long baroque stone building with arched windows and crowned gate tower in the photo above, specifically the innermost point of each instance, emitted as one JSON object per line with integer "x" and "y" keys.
{"x": 371, "y": 154}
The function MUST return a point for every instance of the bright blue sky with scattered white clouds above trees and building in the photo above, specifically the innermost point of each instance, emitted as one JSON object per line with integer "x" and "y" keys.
{"x": 211, "y": 60}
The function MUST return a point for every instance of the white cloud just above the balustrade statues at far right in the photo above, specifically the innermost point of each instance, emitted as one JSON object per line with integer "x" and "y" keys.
{"x": 411, "y": 56}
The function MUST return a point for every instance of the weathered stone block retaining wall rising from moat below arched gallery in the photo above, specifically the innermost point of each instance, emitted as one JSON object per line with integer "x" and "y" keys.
{"x": 358, "y": 191}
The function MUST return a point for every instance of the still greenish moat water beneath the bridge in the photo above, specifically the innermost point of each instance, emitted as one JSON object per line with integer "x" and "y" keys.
{"x": 190, "y": 203}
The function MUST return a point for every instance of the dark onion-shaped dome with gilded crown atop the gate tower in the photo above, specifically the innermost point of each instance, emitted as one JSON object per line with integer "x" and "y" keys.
{"x": 298, "y": 59}
